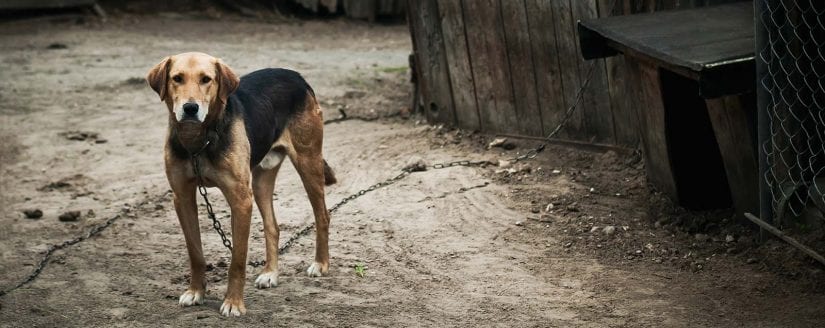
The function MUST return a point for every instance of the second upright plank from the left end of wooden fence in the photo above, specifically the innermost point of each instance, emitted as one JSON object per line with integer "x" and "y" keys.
{"x": 458, "y": 60}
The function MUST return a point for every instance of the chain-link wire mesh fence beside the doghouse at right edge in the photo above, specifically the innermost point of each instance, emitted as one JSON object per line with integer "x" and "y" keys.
{"x": 790, "y": 57}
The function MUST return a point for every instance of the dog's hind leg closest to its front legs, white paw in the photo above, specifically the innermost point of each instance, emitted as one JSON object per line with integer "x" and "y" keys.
{"x": 263, "y": 184}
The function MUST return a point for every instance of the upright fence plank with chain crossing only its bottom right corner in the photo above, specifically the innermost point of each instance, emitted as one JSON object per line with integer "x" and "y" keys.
{"x": 546, "y": 63}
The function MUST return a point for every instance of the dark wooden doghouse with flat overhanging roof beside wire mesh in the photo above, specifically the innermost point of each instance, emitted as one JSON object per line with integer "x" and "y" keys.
{"x": 693, "y": 74}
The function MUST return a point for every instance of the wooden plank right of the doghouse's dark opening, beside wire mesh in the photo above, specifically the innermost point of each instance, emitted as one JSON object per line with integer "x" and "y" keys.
{"x": 730, "y": 121}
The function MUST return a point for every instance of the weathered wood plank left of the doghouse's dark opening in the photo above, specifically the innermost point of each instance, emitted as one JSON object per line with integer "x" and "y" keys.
{"x": 651, "y": 118}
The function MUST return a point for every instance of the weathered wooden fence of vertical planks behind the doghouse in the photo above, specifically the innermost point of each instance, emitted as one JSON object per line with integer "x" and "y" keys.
{"x": 514, "y": 66}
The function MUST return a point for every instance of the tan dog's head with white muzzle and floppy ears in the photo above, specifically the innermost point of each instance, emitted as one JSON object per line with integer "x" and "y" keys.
{"x": 193, "y": 85}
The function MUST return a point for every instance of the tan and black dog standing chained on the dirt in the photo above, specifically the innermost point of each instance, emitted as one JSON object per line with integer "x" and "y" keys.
{"x": 241, "y": 130}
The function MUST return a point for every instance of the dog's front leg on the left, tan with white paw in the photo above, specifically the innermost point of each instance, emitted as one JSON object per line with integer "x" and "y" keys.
{"x": 186, "y": 208}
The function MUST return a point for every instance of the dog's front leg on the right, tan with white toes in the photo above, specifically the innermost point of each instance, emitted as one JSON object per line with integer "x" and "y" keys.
{"x": 239, "y": 196}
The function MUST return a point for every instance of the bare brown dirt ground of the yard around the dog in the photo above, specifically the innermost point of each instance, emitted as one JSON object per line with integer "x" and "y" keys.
{"x": 452, "y": 247}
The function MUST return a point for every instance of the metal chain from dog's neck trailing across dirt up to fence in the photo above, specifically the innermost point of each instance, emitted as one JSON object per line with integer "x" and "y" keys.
{"x": 405, "y": 172}
